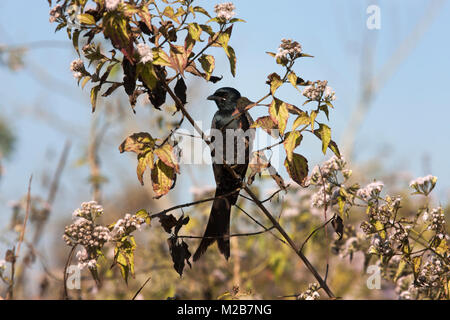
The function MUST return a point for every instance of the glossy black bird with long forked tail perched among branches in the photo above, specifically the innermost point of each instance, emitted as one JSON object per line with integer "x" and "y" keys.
{"x": 218, "y": 227}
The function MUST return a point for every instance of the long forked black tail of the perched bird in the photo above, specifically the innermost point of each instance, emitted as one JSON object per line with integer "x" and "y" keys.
{"x": 218, "y": 227}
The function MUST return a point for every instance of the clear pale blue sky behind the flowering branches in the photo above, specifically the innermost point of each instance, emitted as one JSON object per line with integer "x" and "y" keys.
{"x": 409, "y": 115}
